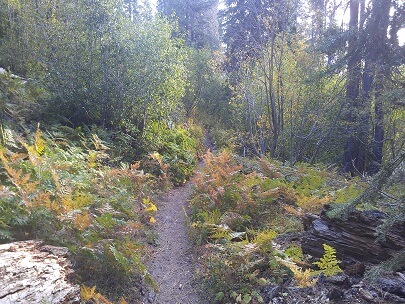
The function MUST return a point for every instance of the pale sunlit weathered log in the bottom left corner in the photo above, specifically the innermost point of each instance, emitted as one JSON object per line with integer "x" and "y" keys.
{"x": 32, "y": 273}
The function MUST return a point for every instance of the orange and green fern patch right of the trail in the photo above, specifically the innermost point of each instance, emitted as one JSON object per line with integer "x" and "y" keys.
{"x": 239, "y": 209}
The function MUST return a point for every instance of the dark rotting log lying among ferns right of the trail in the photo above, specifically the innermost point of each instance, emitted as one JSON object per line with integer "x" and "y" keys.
{"x": 354, "y": 239}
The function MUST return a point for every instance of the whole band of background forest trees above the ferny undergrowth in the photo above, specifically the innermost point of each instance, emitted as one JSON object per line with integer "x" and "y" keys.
{"x": 289, "y": 78}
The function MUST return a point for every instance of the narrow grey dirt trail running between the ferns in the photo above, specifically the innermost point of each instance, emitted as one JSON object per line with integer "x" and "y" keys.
{"x": 171, "y": 265}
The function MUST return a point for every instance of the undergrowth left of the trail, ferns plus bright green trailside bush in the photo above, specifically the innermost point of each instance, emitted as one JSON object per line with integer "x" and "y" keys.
{"x": 71, "y": 188}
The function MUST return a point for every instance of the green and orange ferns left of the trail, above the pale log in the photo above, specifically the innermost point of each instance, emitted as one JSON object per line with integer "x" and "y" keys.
{"x": 55, "y": 190}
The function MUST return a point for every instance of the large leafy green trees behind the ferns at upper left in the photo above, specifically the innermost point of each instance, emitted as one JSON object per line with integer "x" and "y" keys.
{"x": 100, "y": 67}
